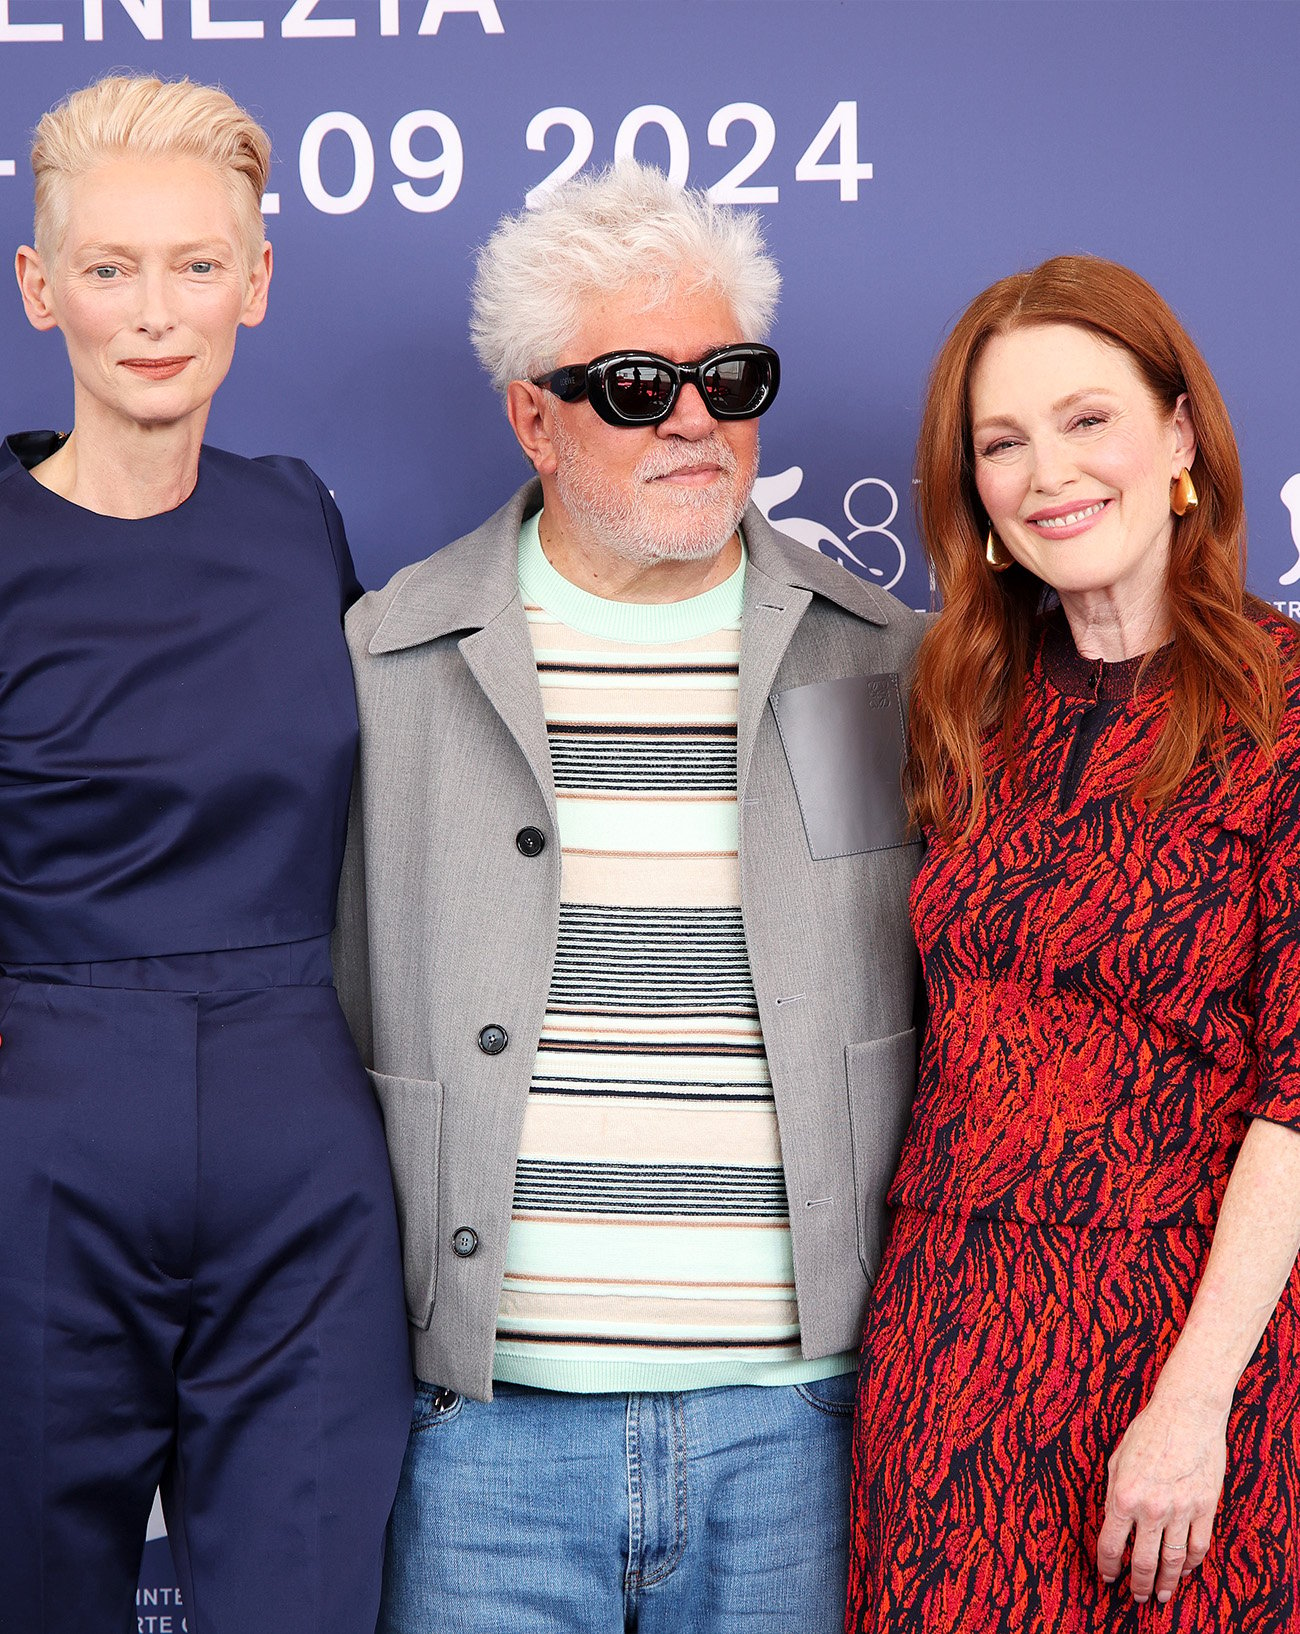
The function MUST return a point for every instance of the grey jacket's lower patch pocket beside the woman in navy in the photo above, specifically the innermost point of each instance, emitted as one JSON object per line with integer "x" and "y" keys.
{"x": 414, "y": 1125}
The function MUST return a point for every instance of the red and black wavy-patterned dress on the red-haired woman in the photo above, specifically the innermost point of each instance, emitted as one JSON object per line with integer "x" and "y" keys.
{"x": 1113, "y": 996}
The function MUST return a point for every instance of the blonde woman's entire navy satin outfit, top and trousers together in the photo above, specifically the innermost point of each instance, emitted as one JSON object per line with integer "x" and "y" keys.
{"x": 200, "y": 1275}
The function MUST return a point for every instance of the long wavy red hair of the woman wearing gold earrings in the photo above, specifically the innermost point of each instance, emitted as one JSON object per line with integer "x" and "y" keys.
{"x": 974, "y": 659}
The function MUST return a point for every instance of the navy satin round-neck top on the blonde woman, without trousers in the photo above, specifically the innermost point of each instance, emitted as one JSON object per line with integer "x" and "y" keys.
{"x": 177, "y": 715}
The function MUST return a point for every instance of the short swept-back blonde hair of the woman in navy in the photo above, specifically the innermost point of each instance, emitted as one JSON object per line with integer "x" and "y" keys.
{"x": 145, "y": 118}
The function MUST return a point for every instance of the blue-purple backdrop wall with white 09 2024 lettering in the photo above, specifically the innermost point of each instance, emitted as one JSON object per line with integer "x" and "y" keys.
{"x": 904, "y": 154}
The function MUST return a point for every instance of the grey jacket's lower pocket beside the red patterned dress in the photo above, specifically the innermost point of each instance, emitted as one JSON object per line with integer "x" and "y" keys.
{"x": 881, "y": 1083}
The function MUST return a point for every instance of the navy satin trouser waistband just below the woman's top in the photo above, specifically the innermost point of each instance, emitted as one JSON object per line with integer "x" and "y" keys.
{"x": 221, "y": 971}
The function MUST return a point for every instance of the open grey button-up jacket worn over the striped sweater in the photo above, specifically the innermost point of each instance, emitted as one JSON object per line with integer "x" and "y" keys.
{"x": 447, "y": 929}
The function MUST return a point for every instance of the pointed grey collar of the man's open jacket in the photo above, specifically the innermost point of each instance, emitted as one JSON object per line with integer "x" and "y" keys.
{"x": 470, "y": 584}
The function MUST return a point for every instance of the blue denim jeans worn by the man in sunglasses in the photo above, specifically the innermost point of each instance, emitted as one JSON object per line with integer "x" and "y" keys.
{"x": 697, "y": 1512}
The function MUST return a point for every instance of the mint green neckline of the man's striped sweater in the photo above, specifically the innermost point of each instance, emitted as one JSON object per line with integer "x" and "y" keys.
{"x": 626, "y": 622}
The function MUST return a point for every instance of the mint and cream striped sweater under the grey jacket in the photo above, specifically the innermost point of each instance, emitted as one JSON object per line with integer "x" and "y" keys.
{"x": 649, "y": 1243}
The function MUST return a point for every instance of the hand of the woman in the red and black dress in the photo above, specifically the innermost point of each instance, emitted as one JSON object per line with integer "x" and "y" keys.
{"x": 1165, "y": 1481}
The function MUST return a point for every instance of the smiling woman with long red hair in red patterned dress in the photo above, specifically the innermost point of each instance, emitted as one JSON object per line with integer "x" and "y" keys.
{"x": 1090, "y": 1310}
